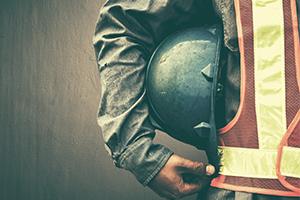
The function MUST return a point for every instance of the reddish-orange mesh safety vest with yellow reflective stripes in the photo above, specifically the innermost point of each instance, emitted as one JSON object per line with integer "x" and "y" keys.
{"x": 260, "y": 147}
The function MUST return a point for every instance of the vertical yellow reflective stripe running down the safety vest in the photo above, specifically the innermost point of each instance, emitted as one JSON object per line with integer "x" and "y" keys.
{"x": 269, "y": 61}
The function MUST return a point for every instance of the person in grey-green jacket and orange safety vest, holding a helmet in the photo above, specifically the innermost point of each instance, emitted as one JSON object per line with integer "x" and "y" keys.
{"x": 260, "y": 57}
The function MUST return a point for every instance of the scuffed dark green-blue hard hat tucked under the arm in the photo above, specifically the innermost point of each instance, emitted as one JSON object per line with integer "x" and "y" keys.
{"x": 181, "y": 85}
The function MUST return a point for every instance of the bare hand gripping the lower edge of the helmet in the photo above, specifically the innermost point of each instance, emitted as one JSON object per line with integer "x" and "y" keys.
{"x": 181, "y": 177}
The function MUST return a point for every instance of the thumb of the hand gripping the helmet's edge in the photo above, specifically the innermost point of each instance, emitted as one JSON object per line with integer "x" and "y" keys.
{"x": 197, "y": 168}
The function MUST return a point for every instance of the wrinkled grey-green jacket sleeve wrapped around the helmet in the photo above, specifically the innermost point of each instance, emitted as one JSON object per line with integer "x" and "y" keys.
{"x": 126, "y": 34}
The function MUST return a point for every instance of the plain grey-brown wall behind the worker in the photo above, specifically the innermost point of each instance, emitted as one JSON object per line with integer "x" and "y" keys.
{"x": 51, "y": 147}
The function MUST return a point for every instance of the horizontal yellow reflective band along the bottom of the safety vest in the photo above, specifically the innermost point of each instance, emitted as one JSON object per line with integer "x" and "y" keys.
{"x": 259, "y": 163}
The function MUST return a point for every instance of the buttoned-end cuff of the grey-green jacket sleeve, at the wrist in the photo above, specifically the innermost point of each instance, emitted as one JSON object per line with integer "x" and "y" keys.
{"x": 144, "y": 159}
